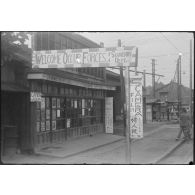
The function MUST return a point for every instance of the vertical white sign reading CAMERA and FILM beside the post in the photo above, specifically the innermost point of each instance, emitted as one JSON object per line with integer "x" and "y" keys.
{"x": 136, "y": 108}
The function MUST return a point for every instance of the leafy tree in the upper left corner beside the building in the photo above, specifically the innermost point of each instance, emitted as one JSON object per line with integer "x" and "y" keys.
{"x": 13, "y": 43}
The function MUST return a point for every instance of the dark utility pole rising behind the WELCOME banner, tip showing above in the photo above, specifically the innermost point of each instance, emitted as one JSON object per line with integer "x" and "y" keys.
{"x": 122, "y": 94}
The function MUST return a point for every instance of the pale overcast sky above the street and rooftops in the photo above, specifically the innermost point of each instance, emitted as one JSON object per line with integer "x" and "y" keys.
{"x": 164, "y": 47}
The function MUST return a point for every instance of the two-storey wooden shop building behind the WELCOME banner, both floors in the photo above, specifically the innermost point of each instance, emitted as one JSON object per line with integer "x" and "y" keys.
{"x": 73, "y": 99}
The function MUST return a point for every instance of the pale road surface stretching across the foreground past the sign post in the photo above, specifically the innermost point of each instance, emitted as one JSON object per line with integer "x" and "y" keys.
{"x": 155, "y": 144}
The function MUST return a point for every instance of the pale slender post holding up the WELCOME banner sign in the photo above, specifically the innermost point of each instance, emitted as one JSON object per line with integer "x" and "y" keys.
{"x": 128, "y": 139}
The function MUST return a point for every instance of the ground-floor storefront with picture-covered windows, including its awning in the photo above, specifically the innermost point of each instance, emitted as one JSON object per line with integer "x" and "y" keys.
{"x": 65, "y": 111}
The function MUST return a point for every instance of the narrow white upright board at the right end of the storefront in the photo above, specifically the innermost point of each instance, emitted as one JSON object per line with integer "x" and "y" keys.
{"x": 109, "y": 114}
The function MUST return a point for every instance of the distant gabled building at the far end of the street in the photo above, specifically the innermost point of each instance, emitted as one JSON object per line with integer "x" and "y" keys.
{"x": 165, "y": 104}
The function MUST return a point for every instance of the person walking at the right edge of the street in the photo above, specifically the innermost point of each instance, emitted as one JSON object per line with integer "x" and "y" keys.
{"x": 184, "y": 122}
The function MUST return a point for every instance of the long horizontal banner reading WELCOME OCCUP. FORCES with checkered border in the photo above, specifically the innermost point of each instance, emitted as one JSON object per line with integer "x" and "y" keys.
{"x": 92, "y": 57}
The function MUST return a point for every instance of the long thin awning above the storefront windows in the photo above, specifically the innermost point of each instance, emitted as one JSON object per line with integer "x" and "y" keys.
{"x": 47, "y": 77}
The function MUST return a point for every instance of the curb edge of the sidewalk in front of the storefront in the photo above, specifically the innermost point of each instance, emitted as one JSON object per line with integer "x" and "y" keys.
{"x": 76, "y": 153}
